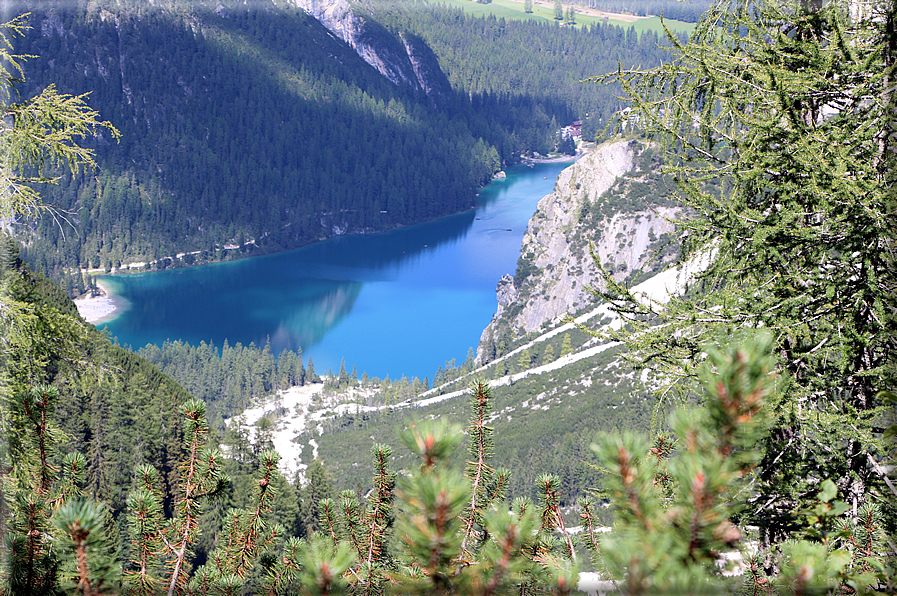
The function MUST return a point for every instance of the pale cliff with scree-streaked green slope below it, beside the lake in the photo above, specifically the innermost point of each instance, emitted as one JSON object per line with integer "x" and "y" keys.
{"x": 554, "y": 388}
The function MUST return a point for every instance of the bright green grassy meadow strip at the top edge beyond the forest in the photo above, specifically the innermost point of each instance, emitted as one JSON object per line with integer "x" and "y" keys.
{"x": 544, "y": 10}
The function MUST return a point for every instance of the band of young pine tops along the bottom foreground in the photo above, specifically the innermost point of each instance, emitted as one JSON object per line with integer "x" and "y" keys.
{"x": 440, "y": 530}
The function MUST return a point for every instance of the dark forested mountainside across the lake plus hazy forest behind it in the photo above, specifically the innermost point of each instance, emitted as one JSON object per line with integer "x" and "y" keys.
{"x": 255, "y": 130}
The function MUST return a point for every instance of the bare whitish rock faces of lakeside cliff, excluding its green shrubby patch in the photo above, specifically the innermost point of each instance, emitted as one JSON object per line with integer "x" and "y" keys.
{"x": 555, "y": 243}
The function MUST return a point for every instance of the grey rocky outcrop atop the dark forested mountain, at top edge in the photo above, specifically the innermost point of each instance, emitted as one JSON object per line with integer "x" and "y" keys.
{"x": 404, "y": 59}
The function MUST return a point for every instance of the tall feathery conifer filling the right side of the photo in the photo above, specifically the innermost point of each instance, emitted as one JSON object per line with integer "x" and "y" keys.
{"x": 787, "y": 108}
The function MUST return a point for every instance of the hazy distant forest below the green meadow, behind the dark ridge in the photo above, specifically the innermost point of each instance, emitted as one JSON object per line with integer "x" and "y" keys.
{"x": 494, "y": 59}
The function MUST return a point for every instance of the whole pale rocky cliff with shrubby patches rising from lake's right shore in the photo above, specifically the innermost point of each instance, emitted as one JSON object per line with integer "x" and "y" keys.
{"x": 613, "y": 197}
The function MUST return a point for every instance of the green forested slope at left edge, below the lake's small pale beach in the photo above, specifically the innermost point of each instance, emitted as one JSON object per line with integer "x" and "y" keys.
{"x": 117, "y": 410}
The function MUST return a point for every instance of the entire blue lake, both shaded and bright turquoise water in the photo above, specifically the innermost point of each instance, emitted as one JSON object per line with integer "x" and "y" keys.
{"x": 399, "y": 303}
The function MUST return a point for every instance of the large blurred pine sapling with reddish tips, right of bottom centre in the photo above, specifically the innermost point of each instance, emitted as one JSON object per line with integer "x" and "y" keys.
{"x": 673, "y": 508}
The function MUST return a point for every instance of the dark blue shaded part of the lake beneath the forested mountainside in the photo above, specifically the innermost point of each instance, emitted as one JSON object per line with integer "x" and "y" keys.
{"x": 290, "y": 299}
